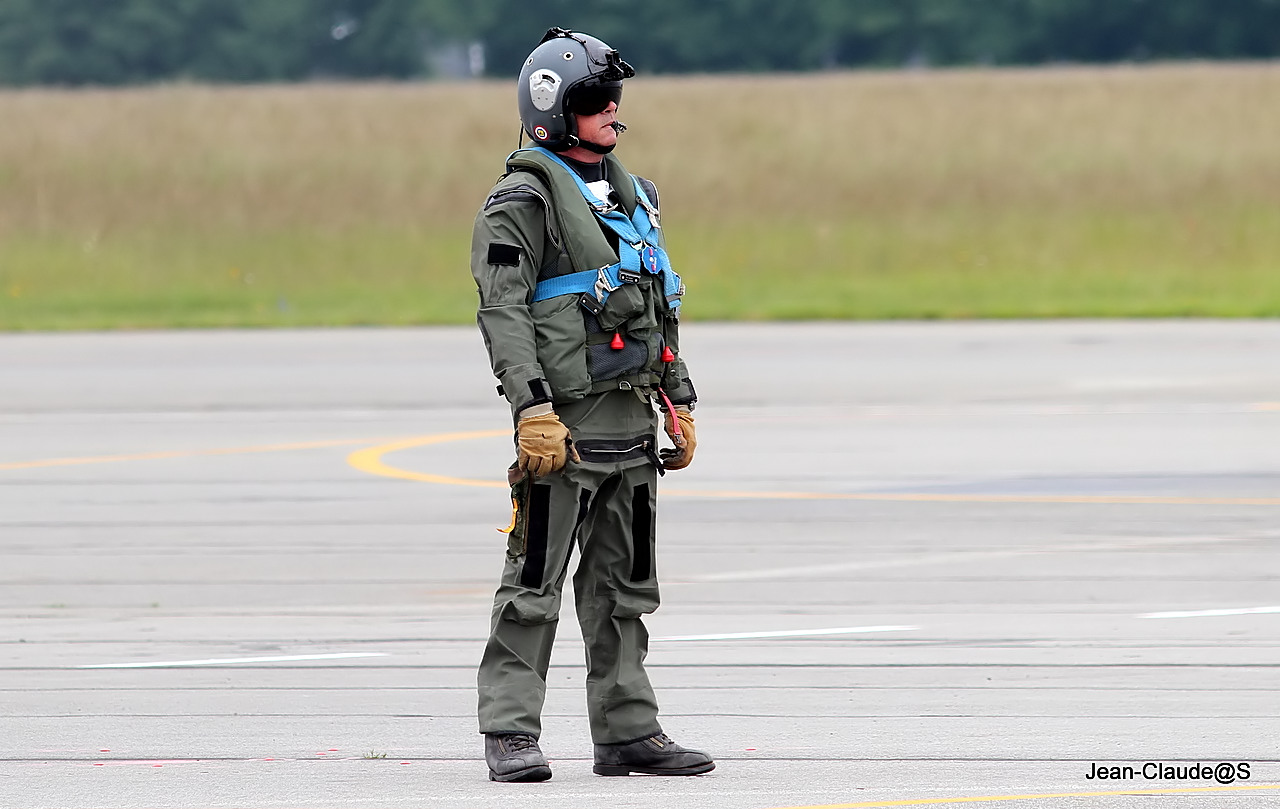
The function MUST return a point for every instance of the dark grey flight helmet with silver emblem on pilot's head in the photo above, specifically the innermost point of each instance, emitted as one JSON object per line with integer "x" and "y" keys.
{"x": 568, "y": 72}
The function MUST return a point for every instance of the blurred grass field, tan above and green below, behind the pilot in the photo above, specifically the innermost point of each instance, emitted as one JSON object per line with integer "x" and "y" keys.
{"x": 980, "y": 194}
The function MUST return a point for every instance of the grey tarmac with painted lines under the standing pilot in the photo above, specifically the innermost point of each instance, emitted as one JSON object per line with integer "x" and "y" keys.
{"x": 913, "y": 564}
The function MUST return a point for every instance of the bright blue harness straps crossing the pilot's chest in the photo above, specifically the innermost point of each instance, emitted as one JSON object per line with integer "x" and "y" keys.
{"x": 639, "y": 250}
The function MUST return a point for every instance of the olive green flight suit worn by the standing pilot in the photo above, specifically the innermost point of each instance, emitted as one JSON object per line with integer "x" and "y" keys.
{"x": 536, "y": 226}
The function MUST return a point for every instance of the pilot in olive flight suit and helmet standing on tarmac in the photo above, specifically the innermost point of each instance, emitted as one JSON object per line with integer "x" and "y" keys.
{"x": 580, "y": 312}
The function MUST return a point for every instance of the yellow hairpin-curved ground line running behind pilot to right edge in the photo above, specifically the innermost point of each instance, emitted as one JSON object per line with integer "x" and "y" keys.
{"x": 372, "y": 461}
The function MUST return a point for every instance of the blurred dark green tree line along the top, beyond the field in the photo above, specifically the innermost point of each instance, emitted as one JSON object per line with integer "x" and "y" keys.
{"x": 76, "y": 43}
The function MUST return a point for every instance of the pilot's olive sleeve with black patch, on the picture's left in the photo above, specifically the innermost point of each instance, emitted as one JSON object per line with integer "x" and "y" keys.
{"x": 509, "y": 244}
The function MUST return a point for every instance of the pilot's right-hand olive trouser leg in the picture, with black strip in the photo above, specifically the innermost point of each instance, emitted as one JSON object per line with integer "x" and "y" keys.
{"x": 615, "y": 584}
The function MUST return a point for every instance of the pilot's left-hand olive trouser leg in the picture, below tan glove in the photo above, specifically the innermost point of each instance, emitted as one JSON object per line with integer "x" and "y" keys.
{"x": 513, "y": 678}
